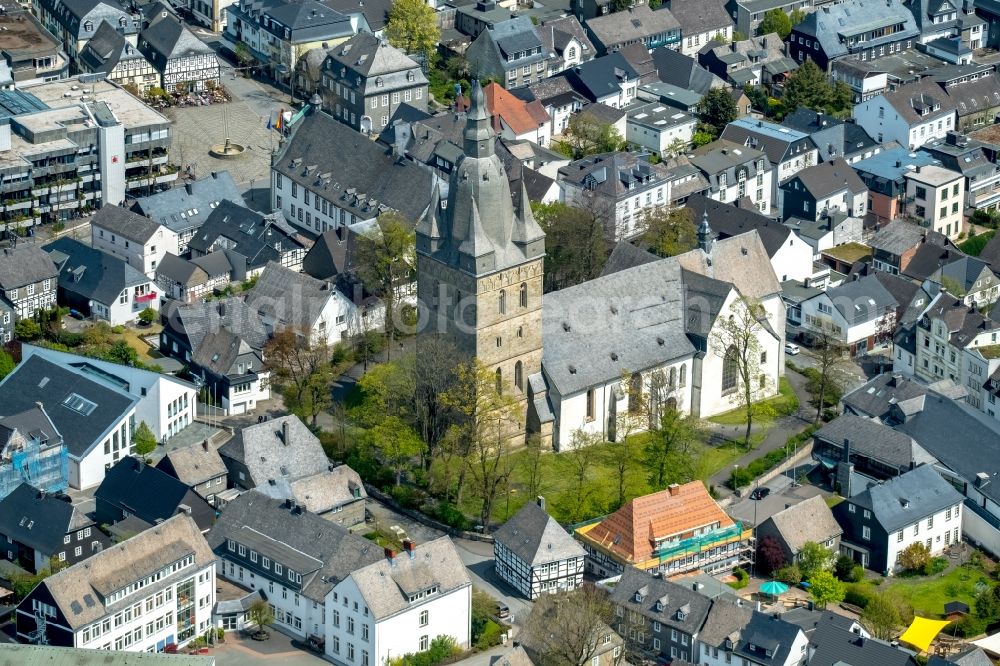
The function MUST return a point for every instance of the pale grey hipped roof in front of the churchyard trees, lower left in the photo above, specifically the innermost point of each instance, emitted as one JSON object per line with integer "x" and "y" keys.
{"x": 260, "y": 447}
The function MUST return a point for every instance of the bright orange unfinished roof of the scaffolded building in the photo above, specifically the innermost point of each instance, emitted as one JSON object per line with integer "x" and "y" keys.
{"x": 630, "y": 532}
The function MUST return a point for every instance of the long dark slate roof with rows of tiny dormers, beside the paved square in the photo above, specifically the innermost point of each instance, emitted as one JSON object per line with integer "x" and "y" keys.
{"x": 356, "y": 173}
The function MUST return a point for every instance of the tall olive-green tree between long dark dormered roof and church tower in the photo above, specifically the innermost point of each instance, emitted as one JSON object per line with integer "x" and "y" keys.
{"x": 385, "y": 258}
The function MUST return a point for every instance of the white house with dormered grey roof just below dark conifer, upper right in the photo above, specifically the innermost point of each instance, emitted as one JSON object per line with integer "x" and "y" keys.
{"x": 735, "y": 171}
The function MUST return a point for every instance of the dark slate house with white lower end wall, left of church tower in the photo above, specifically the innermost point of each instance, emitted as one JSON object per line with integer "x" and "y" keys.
{"x": 222, "y": 344}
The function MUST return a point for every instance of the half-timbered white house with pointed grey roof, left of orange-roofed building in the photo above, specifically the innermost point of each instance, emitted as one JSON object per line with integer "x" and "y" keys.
{"x": 535, "y": 555}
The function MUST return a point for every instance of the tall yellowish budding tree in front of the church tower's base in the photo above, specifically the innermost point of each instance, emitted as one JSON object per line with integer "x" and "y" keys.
{"x": 488, "y": 415}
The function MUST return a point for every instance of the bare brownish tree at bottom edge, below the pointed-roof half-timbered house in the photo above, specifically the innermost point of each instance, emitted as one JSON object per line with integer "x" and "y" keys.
{"x": 567, "y": 629}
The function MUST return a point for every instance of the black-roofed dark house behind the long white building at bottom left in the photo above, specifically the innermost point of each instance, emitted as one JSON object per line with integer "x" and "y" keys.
{"x": 133, "y": 488}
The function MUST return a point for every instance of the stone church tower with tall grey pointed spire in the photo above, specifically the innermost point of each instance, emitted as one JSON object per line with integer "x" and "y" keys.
{"x": 479, "y": 263}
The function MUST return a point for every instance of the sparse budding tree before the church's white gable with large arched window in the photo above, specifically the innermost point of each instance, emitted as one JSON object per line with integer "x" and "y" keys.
{"x": 736, "y": 342}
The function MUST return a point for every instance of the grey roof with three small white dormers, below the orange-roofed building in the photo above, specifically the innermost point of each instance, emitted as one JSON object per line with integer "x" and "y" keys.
{"x": 672, "y": 597}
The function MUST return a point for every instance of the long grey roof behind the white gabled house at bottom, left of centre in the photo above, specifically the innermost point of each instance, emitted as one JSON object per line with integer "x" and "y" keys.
{"x": 287, "y": 533}
